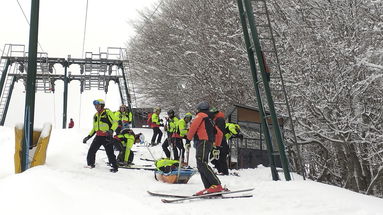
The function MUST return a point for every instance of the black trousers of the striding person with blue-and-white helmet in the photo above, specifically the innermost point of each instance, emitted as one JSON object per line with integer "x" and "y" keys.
{"x": 99, "y": 141}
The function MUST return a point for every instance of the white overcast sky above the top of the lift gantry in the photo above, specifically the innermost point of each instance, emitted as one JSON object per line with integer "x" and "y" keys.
{"x": 61, "y": 24}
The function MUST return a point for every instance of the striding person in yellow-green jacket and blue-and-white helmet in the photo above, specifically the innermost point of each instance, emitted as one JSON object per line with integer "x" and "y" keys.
{"x": 104, "y": 124}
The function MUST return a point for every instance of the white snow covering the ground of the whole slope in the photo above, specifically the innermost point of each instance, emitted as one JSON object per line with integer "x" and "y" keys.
{"x": 64, "y": 186}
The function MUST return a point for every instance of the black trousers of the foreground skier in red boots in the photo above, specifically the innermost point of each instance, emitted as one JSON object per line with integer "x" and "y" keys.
{"x": 202, "y": 156}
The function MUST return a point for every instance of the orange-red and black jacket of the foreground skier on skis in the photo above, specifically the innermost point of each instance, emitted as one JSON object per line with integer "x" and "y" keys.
{"x": 201, "y": 131}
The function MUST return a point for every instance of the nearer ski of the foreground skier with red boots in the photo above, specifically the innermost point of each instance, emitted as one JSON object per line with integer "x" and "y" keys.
{"x": 209, "y": 196}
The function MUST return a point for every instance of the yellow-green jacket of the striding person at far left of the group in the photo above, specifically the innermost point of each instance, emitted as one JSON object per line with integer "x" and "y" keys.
{"x": 103, "y": 122}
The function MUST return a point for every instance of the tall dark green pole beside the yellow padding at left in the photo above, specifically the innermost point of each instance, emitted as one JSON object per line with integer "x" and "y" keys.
{"x": 31, "y": 84}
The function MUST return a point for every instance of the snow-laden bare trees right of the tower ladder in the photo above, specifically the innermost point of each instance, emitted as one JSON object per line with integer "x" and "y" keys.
{"x": 332, "y": 49}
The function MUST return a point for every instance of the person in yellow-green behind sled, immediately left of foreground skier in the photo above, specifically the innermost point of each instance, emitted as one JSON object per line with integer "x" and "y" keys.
{"x": 182, "y": 128}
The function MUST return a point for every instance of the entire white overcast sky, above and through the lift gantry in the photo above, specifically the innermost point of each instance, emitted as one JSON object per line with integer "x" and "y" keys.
{"x": 61, "y": 29}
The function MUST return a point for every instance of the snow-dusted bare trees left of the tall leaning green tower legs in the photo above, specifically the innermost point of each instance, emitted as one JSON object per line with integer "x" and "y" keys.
{"x": 191, "y": 51}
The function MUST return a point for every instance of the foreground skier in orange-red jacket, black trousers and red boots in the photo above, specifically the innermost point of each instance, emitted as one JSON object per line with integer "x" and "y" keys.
{"x": 205, "y": 134}
